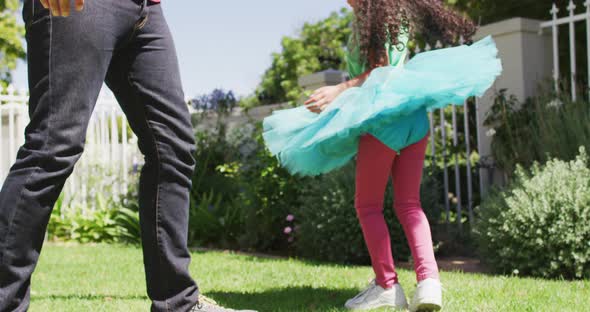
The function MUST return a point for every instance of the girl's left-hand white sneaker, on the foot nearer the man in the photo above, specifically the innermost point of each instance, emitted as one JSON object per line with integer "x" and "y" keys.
{"x": 376, "y": 296}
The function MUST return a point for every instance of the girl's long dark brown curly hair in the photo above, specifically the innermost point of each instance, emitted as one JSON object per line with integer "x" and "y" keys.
{"x": 382, "y": 21}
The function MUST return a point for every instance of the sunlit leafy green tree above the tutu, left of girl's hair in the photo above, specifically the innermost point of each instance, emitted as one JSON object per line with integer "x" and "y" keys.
{"x": 319, "y": 46}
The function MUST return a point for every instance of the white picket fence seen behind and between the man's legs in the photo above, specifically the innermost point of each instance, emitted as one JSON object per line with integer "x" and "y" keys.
{"x": 110, "y": 155}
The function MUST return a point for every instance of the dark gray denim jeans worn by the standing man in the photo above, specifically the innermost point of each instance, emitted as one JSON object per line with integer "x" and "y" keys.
{"x": 128, "y": 45}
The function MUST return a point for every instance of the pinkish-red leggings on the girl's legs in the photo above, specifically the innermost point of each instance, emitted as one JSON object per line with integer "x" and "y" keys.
{"x": 376, "y": 163}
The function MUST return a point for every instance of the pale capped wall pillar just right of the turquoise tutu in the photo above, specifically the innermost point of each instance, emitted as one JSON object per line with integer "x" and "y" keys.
{"x": 527, "y": 58}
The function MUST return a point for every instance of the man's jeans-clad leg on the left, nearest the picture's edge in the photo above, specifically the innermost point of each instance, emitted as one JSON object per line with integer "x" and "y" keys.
{"x": 67, "y": 60}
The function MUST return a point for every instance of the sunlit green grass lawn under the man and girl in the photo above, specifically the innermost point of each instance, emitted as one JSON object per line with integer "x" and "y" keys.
{"x": 111, "y": 278}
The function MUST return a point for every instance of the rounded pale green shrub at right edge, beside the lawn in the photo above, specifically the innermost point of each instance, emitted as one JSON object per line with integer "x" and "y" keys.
{"x": 540, "y": 225}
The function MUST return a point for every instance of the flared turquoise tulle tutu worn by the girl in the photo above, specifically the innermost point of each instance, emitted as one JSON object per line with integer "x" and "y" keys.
{"x": 391, "y": 105}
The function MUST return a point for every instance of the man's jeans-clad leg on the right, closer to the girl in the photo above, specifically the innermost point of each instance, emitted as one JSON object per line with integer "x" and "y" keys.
{"x": 145, "y": 79}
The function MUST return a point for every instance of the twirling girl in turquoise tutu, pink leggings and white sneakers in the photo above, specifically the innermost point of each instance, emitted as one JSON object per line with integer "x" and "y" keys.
{"x": 380, "y": 115}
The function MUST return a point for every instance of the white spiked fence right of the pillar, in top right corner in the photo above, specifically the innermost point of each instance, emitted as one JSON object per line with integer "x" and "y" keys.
{"x": 570, "y": 20}
